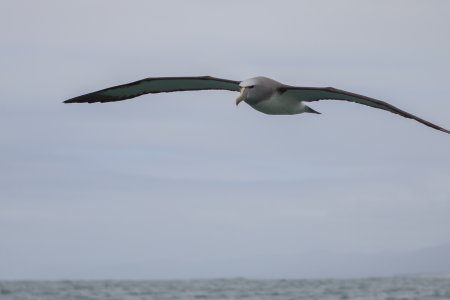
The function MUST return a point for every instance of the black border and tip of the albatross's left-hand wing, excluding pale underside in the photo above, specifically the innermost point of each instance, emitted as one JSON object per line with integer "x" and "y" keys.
{"x": 97, "y": 97}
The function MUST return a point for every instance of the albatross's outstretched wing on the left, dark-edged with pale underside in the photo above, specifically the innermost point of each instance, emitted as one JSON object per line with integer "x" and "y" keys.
{"x": 156, "y": 85}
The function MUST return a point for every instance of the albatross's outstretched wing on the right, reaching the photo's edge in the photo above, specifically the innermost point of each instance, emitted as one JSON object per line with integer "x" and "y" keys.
{"x": 309, "y": 94}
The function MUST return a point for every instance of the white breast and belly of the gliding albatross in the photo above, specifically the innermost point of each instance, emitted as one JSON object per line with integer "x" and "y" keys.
{"x": 279, "y": 105}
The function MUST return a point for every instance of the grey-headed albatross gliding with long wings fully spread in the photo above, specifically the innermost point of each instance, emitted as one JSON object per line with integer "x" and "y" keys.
{"x": 261, "y": 93}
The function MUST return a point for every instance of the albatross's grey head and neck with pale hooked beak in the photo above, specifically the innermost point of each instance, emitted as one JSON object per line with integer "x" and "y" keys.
{"x": 256, "y": 89}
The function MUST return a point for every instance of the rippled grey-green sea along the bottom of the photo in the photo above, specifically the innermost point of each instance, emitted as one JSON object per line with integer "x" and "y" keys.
{"x": 395, "y": 288}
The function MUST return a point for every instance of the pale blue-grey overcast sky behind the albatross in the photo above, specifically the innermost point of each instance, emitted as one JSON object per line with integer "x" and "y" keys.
{"x": 173, "y": 179}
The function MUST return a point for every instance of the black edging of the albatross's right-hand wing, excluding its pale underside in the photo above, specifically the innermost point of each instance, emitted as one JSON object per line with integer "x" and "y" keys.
{"x": 381, "y": 104}
